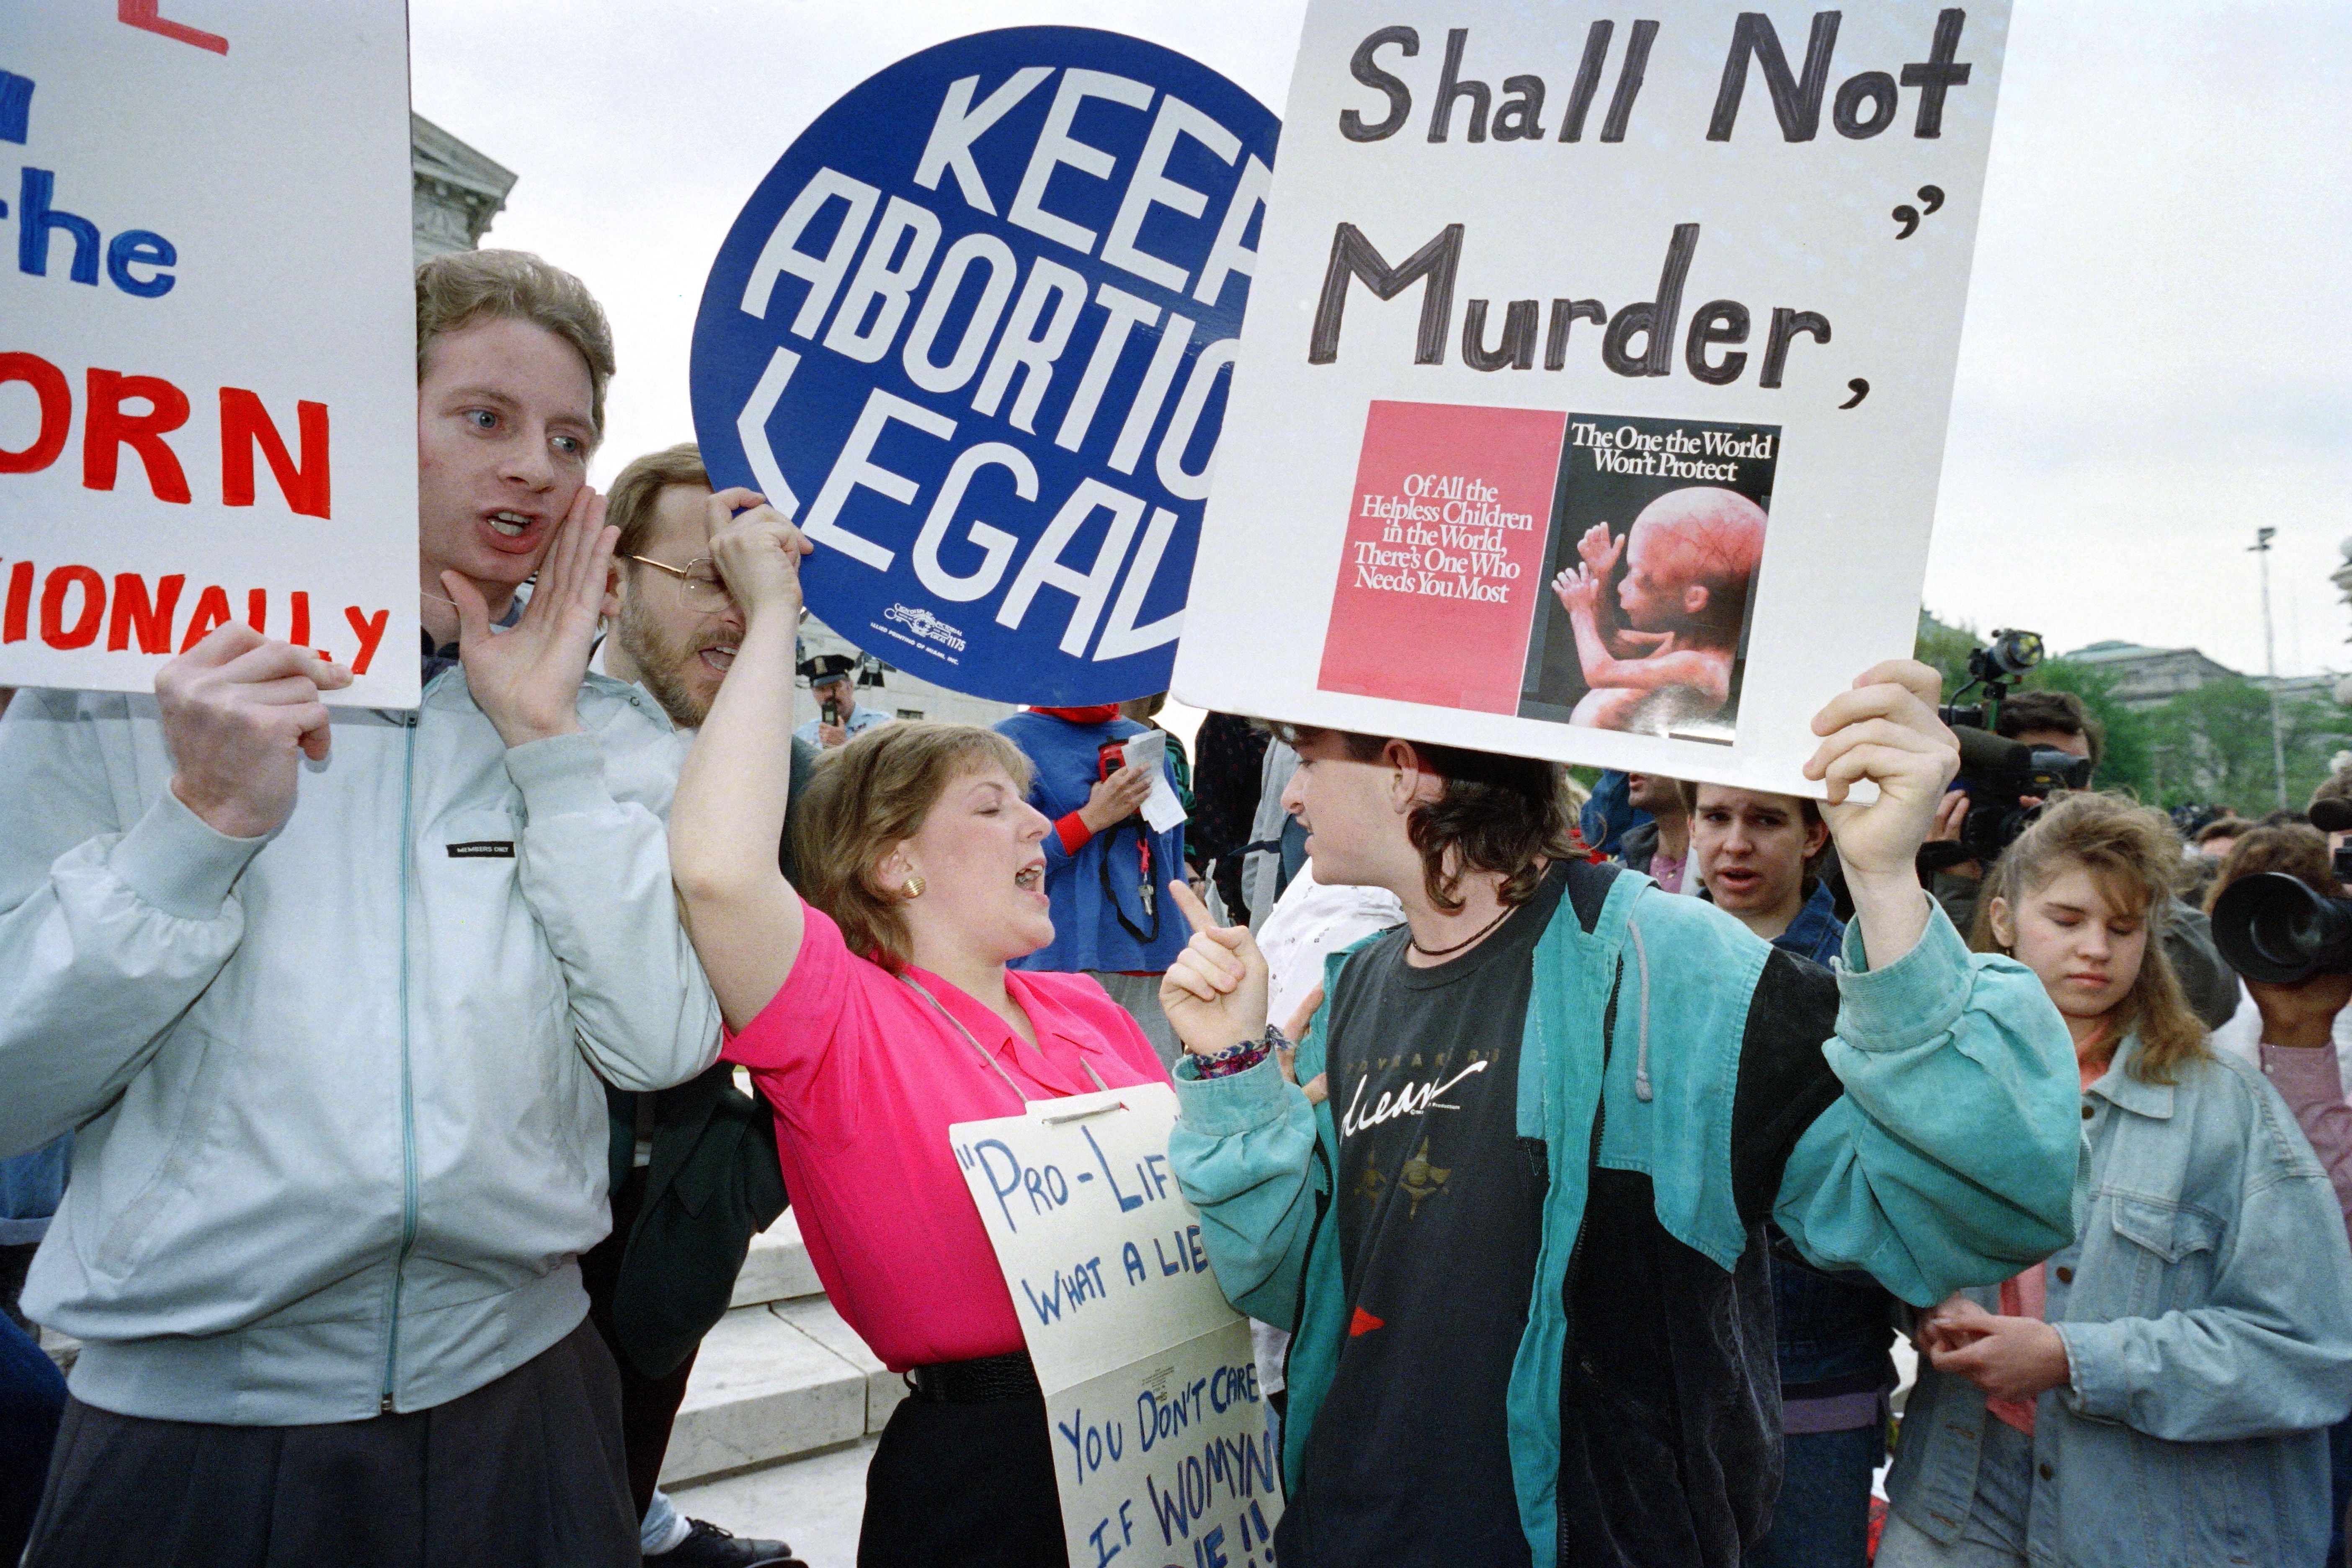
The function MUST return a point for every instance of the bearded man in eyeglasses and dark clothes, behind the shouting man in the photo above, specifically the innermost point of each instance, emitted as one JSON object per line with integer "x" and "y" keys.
{"x": 667, "y": 1271}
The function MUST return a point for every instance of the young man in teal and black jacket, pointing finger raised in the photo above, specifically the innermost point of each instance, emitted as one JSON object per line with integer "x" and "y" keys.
{"x": 1523, "y": 1235}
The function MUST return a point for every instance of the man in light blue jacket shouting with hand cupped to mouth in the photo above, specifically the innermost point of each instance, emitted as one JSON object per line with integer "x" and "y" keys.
{"x": 328, "y": 1000}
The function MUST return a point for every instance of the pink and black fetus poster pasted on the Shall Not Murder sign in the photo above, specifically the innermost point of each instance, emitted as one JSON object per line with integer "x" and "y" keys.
{"x": 1570, "y": 568}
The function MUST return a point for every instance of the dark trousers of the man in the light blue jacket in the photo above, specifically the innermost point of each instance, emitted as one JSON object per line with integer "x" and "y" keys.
{"x": 521, "y": 1473}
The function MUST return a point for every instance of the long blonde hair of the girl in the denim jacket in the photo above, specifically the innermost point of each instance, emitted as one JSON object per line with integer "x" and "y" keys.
{"x": 2134, "y": 857}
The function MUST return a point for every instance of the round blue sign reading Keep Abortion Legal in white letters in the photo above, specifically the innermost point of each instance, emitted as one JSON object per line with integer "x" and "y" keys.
{"x": 975, "y": 335}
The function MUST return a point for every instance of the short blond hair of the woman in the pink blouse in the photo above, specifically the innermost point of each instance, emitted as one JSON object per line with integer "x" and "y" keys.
{"x": 867, "y": 798}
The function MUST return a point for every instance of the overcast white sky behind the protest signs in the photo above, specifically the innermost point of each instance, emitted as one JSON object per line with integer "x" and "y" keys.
{"x": 2156, "y": 351}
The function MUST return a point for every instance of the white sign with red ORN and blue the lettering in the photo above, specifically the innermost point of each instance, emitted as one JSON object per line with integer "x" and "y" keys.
{"x": 208, "y": 363}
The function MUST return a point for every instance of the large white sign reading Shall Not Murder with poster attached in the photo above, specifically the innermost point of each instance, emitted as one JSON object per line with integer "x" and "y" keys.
{"x": 1593, "y": 389}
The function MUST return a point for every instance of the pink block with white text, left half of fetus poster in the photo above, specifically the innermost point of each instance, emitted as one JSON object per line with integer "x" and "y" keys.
{"x": 1443, "y": 570}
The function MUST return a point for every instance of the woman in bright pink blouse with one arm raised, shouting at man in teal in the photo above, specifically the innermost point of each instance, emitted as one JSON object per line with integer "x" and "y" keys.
{"x": 878, "y": 1014}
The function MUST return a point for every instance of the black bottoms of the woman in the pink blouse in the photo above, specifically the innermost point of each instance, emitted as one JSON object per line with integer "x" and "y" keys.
{"x": 963, "y": 1487}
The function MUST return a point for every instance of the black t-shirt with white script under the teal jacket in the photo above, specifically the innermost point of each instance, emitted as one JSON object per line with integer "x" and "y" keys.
{"x": 1441, "y": 1212}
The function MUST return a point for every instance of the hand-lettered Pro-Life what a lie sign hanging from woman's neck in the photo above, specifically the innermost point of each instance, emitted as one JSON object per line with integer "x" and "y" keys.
{"x": 1151, "y": 1393}
